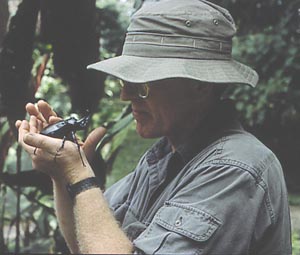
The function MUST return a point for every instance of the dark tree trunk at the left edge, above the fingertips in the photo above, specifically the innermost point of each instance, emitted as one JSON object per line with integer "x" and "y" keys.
{"x": 16, "y": 61}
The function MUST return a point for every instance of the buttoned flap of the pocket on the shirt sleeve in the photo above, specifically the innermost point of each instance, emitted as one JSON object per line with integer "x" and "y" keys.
{"x": 188, "y": 221}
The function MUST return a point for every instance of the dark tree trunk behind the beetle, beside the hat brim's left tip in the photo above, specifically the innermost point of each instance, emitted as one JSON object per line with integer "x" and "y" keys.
{"x": 70, "y": 26}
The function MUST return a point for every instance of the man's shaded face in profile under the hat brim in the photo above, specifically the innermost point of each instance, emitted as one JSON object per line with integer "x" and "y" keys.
{"x": 171, "y": 107}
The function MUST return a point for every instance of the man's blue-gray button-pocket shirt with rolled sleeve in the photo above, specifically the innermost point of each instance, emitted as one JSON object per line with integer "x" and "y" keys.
{"x": 222, "y": 192}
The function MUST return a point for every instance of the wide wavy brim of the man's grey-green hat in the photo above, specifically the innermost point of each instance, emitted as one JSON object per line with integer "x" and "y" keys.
{"x": 144, "y": 69}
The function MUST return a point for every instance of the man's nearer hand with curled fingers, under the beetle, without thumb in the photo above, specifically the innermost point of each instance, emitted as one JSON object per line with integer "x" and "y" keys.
{"x": 48, "y": 155}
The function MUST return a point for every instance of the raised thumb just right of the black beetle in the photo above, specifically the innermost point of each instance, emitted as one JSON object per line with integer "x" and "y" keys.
{"x": 92, "y": 140}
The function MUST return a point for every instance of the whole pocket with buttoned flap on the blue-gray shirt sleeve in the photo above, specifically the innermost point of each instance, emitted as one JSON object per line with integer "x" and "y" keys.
{"x": 177, "y": 229}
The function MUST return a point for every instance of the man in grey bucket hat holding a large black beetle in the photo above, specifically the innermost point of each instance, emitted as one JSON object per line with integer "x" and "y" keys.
{"x": 208, "y": 186}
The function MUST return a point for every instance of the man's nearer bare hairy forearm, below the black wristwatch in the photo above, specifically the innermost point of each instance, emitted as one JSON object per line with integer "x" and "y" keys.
{"x": 96, "y": 228}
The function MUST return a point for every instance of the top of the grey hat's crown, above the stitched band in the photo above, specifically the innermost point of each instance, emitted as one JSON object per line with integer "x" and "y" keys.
{"x": 194, "y": 18}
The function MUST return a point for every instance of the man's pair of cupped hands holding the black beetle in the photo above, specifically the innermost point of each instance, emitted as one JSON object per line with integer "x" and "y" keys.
{"x": 46, "y": 152}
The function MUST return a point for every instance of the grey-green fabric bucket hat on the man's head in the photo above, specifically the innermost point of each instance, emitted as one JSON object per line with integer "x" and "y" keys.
{"x": 179, "y": 38}
